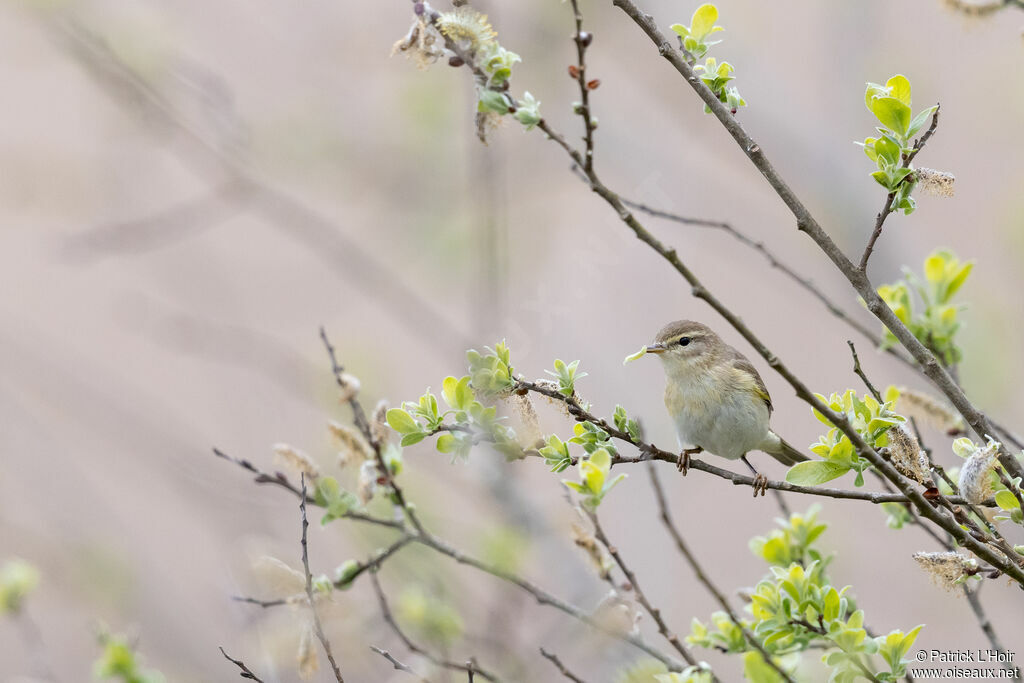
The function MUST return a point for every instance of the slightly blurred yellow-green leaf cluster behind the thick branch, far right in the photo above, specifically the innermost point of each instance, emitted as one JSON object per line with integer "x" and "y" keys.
{"x": 935, "y": 323}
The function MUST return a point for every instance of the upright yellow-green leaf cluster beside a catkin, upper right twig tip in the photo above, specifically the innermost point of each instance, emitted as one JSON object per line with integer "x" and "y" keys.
{"x": 891, "y": 106}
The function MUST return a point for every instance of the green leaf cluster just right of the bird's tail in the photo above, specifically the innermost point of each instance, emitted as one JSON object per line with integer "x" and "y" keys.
{"x": 870, "y": 418}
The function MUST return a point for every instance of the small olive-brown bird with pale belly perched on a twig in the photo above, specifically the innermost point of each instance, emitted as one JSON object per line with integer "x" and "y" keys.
{"x": 717, "y": 400}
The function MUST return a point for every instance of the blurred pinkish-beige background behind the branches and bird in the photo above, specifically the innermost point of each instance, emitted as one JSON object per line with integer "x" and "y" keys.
{"x": 157, "y": 305}
